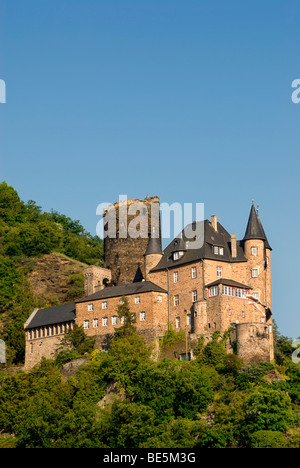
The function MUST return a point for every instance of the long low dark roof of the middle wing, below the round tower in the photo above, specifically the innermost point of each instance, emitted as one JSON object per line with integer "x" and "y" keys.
{"x": 124, "y": 290}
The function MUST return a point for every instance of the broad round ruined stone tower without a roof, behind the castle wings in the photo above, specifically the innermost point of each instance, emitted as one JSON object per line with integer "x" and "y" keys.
{"x": 133, "y": 220}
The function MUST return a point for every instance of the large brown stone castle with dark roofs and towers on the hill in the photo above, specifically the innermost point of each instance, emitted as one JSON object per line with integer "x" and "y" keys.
{"x": 224, "y": 284}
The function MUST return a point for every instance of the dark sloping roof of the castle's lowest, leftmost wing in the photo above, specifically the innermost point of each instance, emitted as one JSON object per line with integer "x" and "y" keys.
{"x": 52, "y": 315}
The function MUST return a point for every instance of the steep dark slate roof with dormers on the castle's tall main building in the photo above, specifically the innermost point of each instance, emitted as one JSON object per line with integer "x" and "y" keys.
{"x": 207, "y": 238}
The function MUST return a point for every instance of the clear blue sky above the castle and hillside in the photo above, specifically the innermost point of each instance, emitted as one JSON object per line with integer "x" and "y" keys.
{"x": 187, "y": 100}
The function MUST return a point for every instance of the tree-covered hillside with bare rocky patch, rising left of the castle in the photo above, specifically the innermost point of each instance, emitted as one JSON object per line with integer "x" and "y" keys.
{"x": 42, "y": 256}
